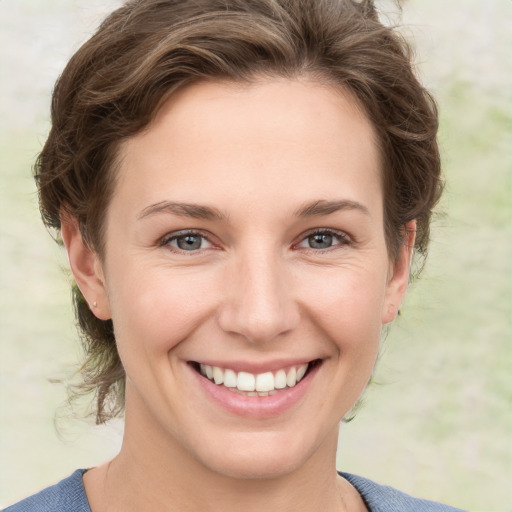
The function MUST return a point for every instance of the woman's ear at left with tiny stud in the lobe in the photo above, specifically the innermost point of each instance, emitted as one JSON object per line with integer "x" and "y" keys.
{"x": 86, "y": 267}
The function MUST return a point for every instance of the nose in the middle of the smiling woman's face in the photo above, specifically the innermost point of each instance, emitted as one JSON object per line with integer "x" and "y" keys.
{"x": 259, "y": 304}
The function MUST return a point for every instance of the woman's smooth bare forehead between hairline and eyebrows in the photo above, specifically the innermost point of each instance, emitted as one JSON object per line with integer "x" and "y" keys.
{"x": 220, "y": 140}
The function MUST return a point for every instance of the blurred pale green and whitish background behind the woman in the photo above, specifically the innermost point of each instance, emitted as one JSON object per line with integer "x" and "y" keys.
{"x": 438, "y": 421}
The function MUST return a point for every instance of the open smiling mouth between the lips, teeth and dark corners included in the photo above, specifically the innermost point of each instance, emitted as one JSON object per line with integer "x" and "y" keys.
{"x": 262, "y": 384}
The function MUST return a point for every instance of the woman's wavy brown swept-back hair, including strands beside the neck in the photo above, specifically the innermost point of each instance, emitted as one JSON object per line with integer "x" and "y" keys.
{"x": 147, "y": 49}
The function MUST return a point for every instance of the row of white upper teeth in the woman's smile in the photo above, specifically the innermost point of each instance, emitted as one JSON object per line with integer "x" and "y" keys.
{"x": 260, "y": 383}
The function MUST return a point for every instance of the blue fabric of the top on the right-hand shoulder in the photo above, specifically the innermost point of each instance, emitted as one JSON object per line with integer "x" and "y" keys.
{"x": 382, "y": 498}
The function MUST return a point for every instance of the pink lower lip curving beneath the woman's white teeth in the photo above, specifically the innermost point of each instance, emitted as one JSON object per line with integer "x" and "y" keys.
{"x": 255, "y": 406}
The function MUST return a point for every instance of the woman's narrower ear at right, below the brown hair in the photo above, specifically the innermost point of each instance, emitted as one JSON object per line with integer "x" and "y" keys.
{"x": 399, "y": 271}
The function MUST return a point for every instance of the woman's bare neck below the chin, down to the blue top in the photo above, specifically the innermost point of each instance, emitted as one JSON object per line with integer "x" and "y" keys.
{"x": 153, "y": 473}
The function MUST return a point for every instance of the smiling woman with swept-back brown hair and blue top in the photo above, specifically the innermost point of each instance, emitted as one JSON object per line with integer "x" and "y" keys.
{"x": 240, "y": 186}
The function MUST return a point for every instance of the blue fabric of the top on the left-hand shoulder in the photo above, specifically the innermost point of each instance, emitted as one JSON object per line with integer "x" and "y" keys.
{"x": 66, "y": 496}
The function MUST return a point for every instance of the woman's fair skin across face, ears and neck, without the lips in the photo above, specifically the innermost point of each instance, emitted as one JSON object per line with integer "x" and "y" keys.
{"x": 255, "y": 292}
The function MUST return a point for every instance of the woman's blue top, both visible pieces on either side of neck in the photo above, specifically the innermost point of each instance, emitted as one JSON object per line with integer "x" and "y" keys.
{"x": 69, "y": 496}
